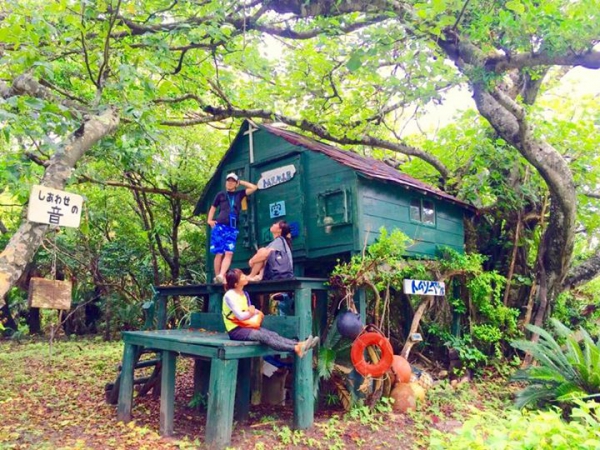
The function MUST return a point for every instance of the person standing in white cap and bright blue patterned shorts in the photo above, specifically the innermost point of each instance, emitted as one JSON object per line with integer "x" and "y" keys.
{"x": 224, "y": 226}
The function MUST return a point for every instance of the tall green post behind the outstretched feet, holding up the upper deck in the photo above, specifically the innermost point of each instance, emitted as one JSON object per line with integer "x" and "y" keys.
{"x": 303, "y": 374}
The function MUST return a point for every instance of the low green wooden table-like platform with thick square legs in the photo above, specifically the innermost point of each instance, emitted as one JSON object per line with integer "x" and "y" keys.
{"x": 226, "y": 358}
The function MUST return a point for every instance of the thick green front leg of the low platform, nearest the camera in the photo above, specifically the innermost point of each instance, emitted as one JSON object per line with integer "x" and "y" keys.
{"x": 221, "y": 397}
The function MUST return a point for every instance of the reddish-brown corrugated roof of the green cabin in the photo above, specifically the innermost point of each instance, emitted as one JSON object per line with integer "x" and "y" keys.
{"x": 369, "y": 167}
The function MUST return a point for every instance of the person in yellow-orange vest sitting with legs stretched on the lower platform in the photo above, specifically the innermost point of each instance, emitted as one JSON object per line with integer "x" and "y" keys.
{"x": 237, "y": 308}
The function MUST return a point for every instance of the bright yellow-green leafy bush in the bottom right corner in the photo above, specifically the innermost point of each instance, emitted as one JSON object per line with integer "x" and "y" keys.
{"x": 525, "y": 430}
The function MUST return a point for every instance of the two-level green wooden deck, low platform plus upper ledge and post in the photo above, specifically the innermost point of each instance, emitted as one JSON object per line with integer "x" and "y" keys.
{"x": 227, "y": 362}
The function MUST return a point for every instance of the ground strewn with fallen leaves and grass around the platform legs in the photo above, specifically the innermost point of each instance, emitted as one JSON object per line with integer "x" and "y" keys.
{"x": 52, "y": 397}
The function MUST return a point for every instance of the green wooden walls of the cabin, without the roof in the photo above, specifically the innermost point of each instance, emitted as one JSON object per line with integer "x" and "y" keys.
{"x": 334, "y": 207}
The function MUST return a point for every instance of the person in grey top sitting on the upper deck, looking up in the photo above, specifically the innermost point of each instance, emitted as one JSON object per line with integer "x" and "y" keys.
{"x": 275, "y": 261}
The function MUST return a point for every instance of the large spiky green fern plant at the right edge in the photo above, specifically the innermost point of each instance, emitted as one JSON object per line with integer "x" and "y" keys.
{"x": 565, "y": 372}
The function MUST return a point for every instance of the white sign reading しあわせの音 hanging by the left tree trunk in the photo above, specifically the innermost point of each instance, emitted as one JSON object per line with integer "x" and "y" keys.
{"x": 54, "y": 207}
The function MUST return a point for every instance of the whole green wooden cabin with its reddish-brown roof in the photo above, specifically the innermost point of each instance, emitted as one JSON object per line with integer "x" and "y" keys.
{"x": 333, "y": 199}
